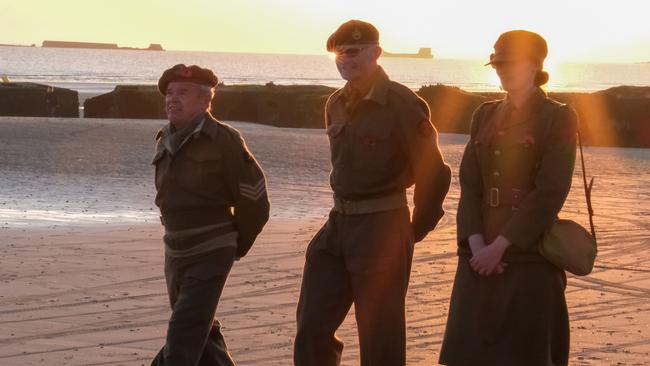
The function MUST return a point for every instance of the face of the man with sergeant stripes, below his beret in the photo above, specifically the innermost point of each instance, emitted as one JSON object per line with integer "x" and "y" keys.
{"x": 184, "y": 102}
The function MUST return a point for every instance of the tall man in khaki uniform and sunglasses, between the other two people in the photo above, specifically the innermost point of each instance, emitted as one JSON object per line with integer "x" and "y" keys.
{"x": 382, "y": 142}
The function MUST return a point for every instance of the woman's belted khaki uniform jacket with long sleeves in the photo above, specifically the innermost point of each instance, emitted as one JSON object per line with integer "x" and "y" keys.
{"x": 516, "y": 172}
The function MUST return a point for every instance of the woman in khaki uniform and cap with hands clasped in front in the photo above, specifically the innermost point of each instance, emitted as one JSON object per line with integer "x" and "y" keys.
{"x": 507, "y": 304}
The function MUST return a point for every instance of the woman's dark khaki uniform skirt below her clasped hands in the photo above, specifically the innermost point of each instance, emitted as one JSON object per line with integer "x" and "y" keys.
{"x": 515, "y": 318}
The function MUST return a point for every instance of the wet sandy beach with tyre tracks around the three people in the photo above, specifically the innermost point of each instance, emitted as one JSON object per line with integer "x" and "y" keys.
{"x": 81, "y": 280}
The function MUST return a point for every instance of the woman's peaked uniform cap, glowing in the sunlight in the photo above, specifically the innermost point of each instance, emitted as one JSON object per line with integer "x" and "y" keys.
{"x": 519, "y": 44}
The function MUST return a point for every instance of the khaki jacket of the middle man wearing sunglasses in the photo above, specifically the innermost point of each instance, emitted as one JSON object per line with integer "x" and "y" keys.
{"x": 383, "y": 143}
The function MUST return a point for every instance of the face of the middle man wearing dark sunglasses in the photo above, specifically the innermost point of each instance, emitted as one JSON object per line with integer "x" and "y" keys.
{"x": 356, "y": 61}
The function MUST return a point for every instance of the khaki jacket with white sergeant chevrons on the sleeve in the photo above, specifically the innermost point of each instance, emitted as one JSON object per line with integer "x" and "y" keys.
{"x": 211, "y": 178}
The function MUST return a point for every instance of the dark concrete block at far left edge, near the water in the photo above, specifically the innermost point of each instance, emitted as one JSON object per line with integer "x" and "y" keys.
{"x": 37, "y": 100}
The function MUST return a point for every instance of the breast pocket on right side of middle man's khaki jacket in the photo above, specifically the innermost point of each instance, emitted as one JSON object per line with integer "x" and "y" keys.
{"x": 372, "y": 148}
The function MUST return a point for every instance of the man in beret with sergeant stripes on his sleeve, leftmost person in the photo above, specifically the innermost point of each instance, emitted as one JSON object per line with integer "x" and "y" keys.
{"x": 213, "y": 203}
